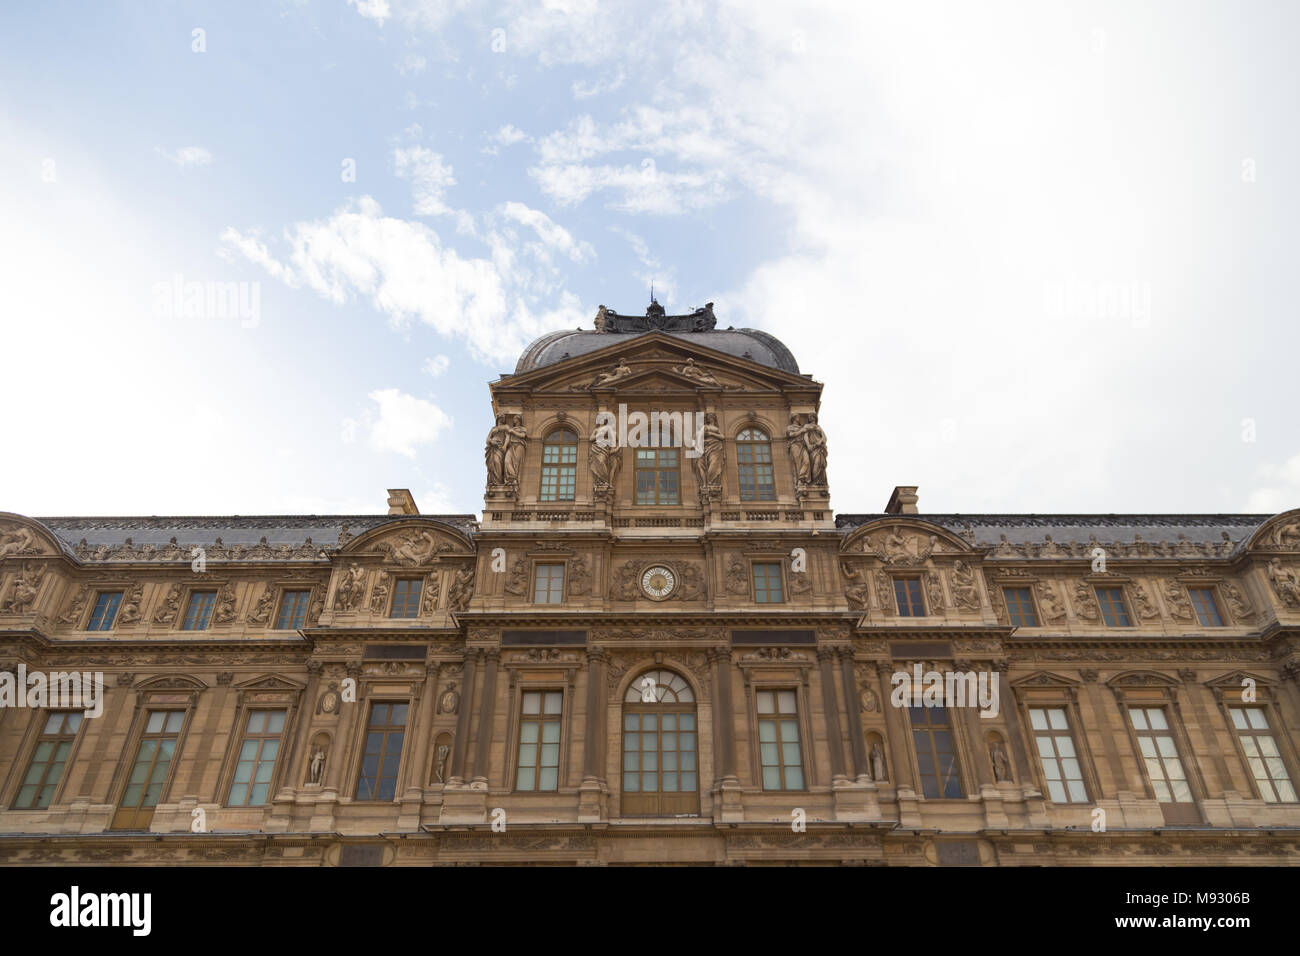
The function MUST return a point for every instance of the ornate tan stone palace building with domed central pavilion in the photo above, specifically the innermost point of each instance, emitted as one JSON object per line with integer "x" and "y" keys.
{"x": 657, "y": 648}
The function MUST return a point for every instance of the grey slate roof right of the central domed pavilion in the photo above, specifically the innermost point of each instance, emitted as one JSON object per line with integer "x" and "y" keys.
{"x": 1033, "y": 530}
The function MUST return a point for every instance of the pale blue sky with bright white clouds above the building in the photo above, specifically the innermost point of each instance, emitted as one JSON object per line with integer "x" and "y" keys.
{"x": 265, "y": 258}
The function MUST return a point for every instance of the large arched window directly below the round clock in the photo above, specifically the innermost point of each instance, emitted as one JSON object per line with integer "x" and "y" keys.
{"x": 660, "y": 758}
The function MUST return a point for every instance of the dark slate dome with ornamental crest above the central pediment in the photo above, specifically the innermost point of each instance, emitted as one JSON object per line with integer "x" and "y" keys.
{"x": 697, "y": 328}
